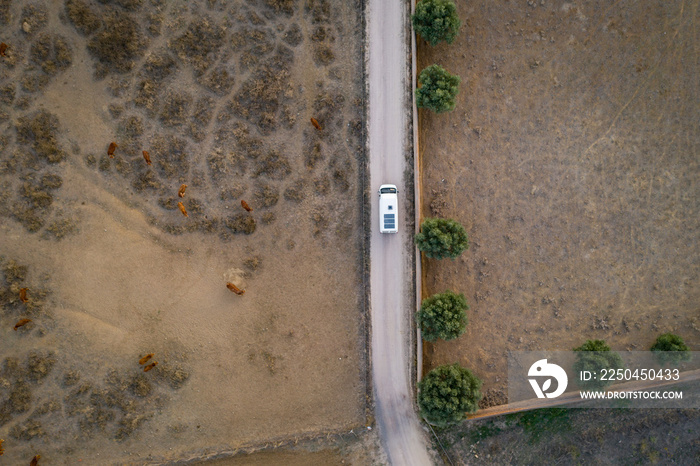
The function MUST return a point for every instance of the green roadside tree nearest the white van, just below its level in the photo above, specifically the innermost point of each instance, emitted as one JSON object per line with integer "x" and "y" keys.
{"x": 442, "y": 237}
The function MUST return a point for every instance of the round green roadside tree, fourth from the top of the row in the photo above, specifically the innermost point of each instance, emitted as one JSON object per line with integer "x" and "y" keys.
{"x": 442, "y": 316}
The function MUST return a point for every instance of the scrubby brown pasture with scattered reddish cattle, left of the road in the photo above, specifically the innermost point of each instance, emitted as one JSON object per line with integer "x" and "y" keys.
{"x": 220, "y": 94}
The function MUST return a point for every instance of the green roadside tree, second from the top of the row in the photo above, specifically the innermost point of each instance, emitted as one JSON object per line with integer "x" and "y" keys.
{"x": 438, "y": 89}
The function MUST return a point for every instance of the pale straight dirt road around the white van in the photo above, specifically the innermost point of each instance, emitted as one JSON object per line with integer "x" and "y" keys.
{"x": 390, "y": 282}
